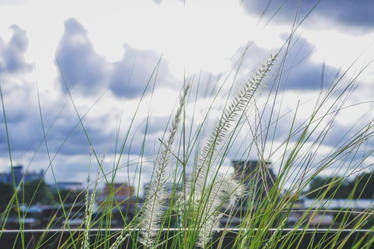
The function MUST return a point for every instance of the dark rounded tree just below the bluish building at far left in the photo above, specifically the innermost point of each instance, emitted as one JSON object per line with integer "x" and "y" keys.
{"x": 36, "y": 191}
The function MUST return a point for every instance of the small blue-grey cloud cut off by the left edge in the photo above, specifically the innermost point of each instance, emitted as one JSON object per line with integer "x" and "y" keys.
{"x": 12, "y": 58}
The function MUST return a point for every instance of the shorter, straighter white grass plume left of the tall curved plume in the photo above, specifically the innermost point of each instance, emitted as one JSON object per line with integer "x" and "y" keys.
{"x": 155, "y": 200}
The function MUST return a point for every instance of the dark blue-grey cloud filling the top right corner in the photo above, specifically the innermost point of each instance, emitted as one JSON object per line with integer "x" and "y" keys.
{"x": 343, "y": 12}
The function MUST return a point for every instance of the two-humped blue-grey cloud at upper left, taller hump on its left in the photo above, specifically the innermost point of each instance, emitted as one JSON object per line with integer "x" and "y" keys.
{"x": 88, "y": 73}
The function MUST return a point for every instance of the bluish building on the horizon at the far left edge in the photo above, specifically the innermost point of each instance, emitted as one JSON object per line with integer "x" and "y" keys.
{"x": 18, "y": 174}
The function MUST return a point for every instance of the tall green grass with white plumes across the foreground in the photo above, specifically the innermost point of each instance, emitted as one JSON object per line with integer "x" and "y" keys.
{"x": 189, "y": 215}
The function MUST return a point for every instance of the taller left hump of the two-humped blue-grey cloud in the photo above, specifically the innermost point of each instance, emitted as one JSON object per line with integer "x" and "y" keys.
{"x": 78, "y": 62}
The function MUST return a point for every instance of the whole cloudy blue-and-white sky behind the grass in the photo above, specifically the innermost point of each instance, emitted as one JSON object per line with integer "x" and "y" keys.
{"x": 104, "y": 63}
